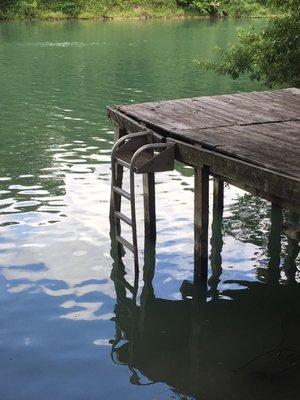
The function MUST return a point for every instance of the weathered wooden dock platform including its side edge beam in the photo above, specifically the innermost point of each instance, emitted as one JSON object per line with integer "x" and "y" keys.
{"x": 258, "y": 134}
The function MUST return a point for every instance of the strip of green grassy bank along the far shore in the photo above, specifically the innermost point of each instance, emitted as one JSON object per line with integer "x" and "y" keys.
{"x": 129, "y": 8}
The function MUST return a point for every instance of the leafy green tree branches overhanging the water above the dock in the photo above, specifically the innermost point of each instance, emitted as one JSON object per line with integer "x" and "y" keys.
{"x": 272, "y": 55}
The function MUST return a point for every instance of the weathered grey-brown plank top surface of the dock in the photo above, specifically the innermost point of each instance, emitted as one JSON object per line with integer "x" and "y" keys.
{"x": 258, "y": 127}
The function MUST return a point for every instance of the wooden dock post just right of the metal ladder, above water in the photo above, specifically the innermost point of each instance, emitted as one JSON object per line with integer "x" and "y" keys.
{"x": 149, "y": 207}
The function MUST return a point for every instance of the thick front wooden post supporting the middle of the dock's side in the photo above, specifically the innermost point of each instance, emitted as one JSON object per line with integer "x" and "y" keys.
{"x": 201, "y": 210}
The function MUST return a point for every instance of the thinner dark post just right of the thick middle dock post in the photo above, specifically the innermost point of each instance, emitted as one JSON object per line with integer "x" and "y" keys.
{"x": 217, "y": 237}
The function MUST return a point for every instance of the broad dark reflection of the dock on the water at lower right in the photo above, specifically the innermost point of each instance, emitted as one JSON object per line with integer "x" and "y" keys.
{"x": 215, "y": 349}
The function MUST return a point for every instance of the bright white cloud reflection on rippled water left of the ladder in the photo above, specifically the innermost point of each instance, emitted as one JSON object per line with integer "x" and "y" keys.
{"x": 72, "y": 250}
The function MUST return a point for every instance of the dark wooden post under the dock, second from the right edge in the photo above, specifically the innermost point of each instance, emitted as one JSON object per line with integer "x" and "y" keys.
{"x": 274, "y": 245}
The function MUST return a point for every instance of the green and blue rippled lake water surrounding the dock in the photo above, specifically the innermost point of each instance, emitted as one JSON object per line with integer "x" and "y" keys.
{"x": 61, "y": 334}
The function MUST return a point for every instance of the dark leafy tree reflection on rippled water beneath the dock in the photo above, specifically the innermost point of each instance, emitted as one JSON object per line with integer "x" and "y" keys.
{"x": 254, "y": 220}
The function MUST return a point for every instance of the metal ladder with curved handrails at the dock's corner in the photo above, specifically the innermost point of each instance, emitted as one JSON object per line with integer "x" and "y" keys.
{"x": 142, "y": 152}
